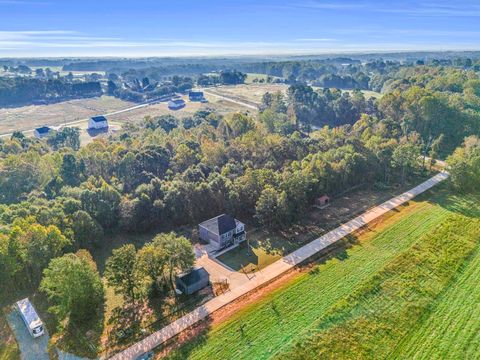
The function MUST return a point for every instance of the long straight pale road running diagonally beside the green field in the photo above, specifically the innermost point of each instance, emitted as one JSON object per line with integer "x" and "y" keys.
{"x": 274, "y": 270}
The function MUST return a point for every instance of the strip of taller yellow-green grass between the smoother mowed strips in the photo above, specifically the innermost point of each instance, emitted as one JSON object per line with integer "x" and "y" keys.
{"x": 371, "y": 321}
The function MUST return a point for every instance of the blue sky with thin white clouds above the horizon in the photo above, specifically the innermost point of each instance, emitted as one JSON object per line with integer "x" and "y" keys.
{"x": 241, "y": 27}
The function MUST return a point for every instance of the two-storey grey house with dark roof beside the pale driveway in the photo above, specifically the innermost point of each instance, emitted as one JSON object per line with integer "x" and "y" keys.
{"x": 222, "y": 231}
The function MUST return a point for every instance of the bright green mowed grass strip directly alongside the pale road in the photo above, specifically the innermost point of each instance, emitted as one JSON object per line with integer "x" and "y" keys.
{"x": 271, "y": 326}
